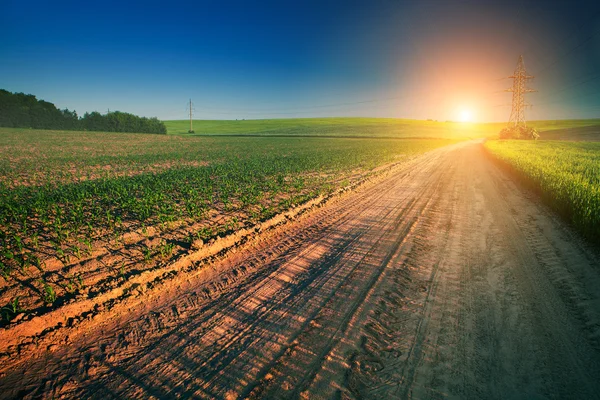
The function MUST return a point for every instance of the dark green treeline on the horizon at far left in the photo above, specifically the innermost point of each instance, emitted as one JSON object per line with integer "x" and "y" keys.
{"x": 19, "y": 110}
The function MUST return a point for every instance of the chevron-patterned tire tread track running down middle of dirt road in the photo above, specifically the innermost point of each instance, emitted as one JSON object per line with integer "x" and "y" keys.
{"x": 382, "y": 355}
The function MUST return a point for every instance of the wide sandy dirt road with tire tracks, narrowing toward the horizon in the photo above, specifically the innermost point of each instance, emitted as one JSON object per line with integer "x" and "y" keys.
{"x": 443, "y": 280}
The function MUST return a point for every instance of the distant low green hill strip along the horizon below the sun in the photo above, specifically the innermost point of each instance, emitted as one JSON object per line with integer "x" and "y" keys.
{"x": 378, "y": 127}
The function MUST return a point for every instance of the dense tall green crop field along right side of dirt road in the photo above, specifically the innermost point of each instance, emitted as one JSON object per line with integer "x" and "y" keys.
{"x": 565, "y": 174}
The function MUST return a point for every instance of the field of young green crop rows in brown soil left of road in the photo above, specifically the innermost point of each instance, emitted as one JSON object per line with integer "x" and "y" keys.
{"x": 82, "y": 209}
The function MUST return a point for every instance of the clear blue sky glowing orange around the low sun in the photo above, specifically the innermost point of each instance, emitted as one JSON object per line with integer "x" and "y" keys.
{"x": 277, "y": 59}
